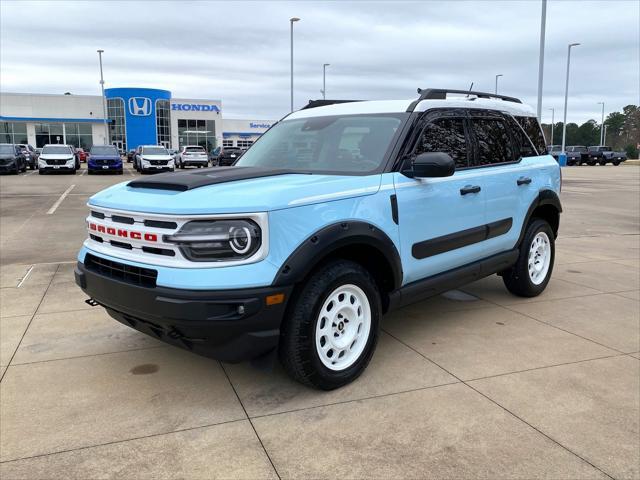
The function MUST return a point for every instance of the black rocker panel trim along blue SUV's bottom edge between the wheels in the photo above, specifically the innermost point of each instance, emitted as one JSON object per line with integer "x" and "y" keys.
{"x": 431, "y": 286}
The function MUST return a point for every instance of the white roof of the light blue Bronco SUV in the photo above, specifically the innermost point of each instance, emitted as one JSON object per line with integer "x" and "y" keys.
{"x": 397, "y": 106}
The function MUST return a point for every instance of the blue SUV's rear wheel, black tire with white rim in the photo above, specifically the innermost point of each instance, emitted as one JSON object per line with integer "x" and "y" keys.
{"x": 532, "y": 271}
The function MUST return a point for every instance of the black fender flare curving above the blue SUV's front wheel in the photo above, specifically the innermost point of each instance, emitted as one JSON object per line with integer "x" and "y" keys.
{"x": 331, "y": 238}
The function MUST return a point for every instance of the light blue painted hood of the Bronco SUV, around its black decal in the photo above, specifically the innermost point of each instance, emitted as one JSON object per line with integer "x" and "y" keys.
{"x": 241, "y": 196}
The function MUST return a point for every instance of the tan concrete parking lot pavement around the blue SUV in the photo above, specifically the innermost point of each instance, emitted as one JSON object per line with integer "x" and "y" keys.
{"x": 473, "y": 383}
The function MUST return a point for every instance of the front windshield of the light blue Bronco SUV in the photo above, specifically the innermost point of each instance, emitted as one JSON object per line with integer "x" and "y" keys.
{"x": 332, "y": 144}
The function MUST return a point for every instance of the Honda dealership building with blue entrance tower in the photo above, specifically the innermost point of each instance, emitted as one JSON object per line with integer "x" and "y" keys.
{"x": 135, "y": 116}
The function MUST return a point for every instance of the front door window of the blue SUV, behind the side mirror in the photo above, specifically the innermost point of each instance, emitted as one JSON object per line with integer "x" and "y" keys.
{"x": 445, "y": 135}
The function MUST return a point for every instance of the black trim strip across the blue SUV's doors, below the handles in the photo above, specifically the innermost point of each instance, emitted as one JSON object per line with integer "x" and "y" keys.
{"x": 463, "y": 238}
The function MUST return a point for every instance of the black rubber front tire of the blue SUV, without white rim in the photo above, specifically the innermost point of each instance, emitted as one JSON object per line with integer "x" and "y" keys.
{"x": 297, "y": 350}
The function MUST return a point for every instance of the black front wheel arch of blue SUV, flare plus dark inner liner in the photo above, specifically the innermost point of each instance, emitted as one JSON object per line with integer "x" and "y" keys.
{"x": 357, "y": 241}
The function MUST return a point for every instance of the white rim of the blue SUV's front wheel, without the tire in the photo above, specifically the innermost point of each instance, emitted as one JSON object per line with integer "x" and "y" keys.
{"x": 343, "y": 326}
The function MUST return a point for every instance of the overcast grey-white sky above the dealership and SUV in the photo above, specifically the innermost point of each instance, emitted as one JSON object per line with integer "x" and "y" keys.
{"x": 239, "y": 51}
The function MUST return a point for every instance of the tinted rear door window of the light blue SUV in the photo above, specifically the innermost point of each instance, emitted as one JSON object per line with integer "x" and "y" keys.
{"x": 494, "y": 141}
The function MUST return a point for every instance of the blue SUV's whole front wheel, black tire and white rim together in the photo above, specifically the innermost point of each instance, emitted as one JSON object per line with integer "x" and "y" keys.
{"x": 331, "y": 329}
